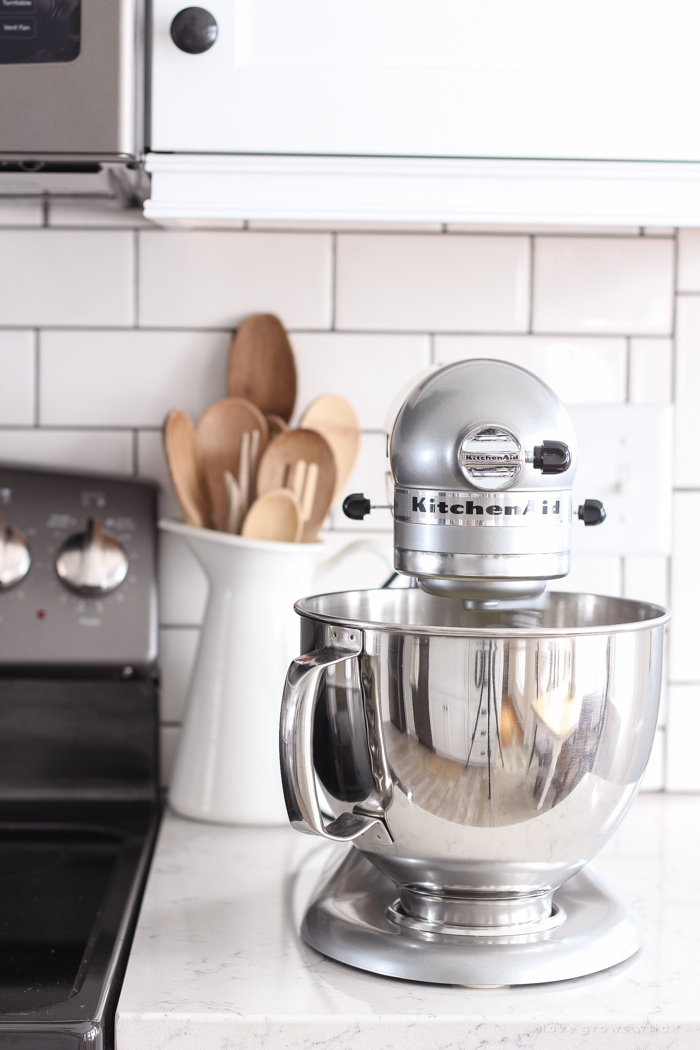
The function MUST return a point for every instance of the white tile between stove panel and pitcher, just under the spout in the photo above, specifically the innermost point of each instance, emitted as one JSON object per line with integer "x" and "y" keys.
{"x": 183, "y": 584}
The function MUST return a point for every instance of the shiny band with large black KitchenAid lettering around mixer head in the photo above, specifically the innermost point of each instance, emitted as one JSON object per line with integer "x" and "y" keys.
{"x": 482, "y": 509}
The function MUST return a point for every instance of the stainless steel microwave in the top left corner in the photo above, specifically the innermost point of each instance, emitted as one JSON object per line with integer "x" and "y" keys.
{"x": 72, "y": 82}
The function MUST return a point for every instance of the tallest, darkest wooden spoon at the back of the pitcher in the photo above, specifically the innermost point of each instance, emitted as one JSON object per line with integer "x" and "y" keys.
{"x": 262, "y": 366}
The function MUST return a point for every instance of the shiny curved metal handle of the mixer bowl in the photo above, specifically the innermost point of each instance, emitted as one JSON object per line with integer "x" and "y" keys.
{"x": 296, "y": 746}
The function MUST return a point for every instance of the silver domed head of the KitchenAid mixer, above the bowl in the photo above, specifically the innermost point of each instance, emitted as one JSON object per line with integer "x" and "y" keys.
{"x": 483, "y": 458}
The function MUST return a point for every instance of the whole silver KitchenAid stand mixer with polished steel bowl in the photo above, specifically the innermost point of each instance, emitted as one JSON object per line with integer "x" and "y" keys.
{"x": 477, "y": 738}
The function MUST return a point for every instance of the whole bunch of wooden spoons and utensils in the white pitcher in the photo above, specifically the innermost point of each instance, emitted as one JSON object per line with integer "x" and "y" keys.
{"x": 242, "y": 470}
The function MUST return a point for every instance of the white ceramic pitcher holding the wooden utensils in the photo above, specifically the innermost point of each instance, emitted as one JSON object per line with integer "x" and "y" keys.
{"x": 227, "y": 769}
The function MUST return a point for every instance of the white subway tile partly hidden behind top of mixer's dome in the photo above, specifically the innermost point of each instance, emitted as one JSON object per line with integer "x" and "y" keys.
{"x": 581, "y": 371}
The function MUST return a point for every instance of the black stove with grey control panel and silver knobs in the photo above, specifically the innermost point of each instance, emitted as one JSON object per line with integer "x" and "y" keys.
{"x": 79, "y": 795}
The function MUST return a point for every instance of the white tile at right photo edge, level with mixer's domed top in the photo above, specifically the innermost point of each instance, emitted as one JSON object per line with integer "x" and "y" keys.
{"x": 687, "y": 469}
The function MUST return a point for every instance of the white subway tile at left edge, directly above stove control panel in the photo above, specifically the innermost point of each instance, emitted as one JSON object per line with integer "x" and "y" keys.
{"x": 98, "y": 451}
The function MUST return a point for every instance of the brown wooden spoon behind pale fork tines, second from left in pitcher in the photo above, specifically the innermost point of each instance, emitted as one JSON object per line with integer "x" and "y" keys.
{"x": 220, "y": 437}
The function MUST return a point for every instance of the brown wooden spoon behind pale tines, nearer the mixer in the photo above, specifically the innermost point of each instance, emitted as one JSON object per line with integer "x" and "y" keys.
{"x": 279, "y": 470}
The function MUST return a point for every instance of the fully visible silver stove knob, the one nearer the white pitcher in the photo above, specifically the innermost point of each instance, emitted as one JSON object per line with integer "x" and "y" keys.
{"x": 93, "y": 562}
